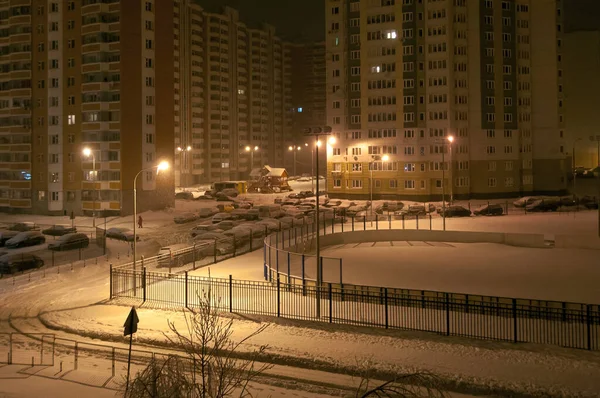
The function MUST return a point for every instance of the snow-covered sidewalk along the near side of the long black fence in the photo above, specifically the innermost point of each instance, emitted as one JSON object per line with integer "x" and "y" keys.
{"x": 467, "y": 366}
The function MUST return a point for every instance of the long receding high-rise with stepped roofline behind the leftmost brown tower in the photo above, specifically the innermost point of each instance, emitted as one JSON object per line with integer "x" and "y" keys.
{"x": 233, "y": 91}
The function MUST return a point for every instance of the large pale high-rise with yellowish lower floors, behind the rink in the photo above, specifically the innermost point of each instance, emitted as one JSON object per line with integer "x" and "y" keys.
{"x": 403, "y": 76}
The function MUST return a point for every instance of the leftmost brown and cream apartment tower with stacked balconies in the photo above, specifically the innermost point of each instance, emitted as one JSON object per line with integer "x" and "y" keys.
{"x": 77, "y": 76}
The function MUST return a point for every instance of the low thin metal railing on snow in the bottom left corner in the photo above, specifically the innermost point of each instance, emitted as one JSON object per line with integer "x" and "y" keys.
{"x": 69, "y": 360}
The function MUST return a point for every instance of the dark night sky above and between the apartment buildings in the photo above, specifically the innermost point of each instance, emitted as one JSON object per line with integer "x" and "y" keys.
{"x": 304, "y": 20}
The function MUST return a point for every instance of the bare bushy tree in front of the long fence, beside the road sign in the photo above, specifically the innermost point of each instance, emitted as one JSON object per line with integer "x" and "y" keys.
{"x": 212, "y": 365}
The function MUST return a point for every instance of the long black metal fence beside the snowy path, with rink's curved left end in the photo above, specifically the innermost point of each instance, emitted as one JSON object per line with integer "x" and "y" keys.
{"x": 289, "y": 295}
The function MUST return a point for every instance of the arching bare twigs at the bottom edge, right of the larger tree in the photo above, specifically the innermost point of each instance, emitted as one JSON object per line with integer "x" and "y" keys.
{"x": 410, "y": 385}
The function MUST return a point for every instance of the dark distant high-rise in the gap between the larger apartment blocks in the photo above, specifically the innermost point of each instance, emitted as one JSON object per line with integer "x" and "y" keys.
{"x": 308, "y": 103}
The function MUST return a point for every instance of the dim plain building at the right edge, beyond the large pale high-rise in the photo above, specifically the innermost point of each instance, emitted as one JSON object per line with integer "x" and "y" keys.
{"x": 582, "y": 94}
